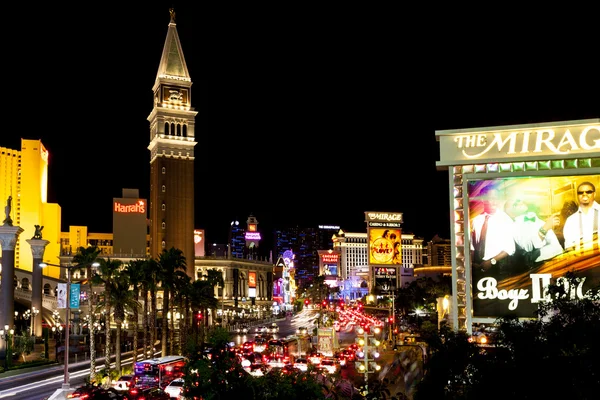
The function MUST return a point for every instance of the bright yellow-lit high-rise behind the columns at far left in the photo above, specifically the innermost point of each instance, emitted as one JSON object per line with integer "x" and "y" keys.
{"x": 24, "y": 176}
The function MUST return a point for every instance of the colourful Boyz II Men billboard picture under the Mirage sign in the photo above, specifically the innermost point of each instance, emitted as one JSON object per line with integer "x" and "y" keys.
{"x": 524, "y": 233}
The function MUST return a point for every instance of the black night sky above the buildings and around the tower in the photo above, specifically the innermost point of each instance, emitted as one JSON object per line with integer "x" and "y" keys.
{"x": 304, "y": 117}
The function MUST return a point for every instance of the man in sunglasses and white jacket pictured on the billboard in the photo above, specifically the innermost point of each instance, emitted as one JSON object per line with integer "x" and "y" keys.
{"x": 581, "y": 228}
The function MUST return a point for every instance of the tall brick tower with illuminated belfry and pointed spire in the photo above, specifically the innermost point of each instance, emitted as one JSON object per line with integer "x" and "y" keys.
{"x": 172, "y": 142}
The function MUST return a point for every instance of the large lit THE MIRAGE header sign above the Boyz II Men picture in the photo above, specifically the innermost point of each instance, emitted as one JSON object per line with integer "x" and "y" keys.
{"x": 519, "y": 142}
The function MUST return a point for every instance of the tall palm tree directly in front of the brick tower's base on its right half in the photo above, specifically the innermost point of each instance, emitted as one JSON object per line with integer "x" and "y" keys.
{"x": 172, "y": 266}
